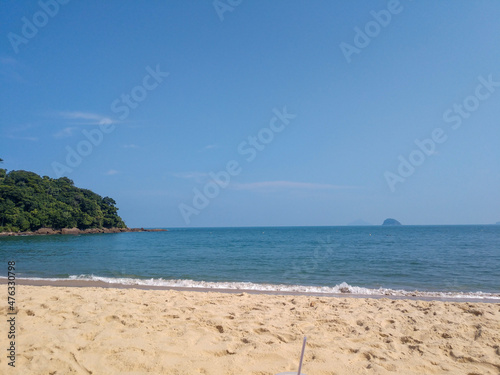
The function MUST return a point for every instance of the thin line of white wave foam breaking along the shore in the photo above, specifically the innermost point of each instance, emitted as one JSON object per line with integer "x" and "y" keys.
{"x": 343, "y": 288}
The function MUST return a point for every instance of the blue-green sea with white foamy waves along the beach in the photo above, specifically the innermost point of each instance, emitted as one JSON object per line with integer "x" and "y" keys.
{"x": 450, "y": 262}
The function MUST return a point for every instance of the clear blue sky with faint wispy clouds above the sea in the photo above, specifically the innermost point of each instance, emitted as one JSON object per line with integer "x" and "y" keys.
{"x": 259, "y": 113}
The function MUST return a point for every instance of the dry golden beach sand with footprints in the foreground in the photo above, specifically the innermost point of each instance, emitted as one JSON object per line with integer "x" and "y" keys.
{"x": 70, "y": 330}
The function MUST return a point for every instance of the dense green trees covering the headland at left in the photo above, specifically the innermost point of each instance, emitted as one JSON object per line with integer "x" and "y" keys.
{"x": 29, "y": 202}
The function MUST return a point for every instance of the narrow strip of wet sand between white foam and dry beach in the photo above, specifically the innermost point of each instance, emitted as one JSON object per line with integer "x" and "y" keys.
{"x": 69, "y": 283}
